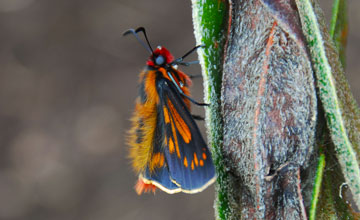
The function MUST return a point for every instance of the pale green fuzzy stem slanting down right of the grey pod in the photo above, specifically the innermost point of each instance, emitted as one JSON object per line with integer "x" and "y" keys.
{"x": 327, "y": 93}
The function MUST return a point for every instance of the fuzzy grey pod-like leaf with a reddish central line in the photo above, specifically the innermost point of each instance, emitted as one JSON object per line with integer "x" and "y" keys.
{"x": 269, "y": 107}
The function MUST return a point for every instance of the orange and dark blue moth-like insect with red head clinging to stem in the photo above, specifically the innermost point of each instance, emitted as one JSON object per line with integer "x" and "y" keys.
{"x": 166, "y": 146}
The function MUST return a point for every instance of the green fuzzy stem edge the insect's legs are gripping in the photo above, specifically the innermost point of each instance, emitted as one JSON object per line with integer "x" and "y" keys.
{"x": 209, "y": 19}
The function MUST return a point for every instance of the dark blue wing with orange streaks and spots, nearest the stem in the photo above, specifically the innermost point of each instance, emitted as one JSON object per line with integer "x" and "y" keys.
{"x": 186, "y": 153}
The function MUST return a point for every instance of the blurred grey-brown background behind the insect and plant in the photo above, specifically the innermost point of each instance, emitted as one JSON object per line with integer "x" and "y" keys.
{"x": 68, "y": 81}
